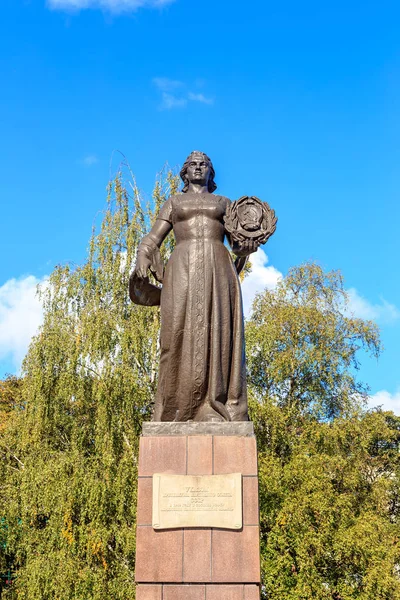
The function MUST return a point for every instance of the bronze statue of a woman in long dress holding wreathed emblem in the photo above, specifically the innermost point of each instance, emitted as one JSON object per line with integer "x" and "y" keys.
{"x": 202, "y": 374}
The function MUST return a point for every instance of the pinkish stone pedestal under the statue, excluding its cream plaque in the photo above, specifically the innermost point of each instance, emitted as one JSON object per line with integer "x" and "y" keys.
{"x": 198, "y": 563}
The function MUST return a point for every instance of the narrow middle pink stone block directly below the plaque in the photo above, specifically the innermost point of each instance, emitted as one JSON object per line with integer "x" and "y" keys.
{"x": 197, "y": 555}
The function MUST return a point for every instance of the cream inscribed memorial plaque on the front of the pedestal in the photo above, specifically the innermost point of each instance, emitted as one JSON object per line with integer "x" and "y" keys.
{"x": 197, "y": 501}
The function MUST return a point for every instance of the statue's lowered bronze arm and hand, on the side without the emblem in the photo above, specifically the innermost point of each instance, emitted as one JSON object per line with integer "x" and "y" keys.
{"x": 148, "y": 255}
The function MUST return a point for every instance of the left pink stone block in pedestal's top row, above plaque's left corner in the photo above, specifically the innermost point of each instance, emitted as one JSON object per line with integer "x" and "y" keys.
{"x": 162, "y": 455}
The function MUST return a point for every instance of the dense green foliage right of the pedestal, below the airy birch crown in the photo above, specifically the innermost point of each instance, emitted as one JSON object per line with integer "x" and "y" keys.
{"x": 329, "y": 509}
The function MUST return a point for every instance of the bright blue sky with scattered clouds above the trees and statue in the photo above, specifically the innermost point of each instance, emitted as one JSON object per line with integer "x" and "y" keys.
{"x": 297, "y": 103}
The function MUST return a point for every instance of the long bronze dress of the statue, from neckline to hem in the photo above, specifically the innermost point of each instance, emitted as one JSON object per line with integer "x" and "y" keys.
{"x": 202, "y": 366}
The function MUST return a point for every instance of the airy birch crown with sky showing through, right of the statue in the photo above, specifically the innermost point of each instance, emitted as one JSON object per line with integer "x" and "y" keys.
{"x": 303, "y": 348}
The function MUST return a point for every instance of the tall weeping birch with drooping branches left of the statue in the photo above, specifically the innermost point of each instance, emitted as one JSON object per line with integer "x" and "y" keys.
{"x": 88, "y": 382}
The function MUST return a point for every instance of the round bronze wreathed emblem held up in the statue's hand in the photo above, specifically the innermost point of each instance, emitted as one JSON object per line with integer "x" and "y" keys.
{"x": 250, "y": 219}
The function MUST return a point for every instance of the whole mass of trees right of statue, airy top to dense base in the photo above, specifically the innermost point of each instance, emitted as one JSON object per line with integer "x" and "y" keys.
{"x": 328, "y": 469}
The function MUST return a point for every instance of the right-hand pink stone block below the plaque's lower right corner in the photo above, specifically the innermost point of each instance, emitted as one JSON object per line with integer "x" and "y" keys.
{"x": 236, "y": 556}
